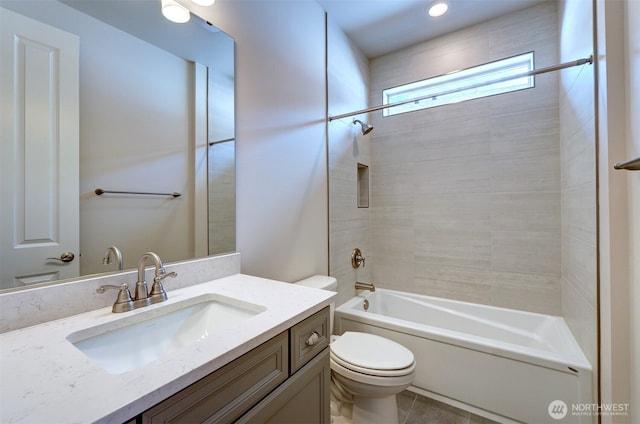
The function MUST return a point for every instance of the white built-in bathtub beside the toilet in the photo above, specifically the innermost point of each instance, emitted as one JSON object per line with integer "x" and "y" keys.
{"x": 501, "y": 363}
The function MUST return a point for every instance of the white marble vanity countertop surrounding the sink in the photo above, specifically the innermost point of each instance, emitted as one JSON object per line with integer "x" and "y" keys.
{"x": 45, "y": 378}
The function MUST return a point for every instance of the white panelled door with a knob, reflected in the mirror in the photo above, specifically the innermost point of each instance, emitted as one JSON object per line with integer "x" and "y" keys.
{"x": 39, "y": 126}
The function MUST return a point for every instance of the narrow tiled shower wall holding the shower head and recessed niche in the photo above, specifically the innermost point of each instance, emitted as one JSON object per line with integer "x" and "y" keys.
{"x": 348, "y": 86}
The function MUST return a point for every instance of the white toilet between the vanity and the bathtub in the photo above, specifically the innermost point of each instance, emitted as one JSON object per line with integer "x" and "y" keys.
{"x": 367, "y": 371}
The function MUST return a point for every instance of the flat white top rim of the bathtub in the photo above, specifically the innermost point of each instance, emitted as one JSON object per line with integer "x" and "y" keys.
{"x": 573, "y": 362}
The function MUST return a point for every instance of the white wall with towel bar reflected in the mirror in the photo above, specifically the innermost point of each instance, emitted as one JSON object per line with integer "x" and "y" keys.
{"x": 141, "y": 145}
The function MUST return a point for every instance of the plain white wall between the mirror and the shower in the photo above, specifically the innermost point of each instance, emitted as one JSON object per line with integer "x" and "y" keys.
{"x": 280, "y": 131}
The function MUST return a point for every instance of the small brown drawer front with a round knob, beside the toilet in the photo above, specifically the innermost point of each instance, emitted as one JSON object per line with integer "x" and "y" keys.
{"x": 308, "y": 338}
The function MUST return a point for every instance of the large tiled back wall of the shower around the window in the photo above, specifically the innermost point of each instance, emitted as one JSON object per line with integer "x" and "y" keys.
{"x": 466, "y": 198}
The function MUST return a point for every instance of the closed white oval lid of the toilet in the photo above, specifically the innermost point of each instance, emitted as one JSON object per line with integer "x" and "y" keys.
{"x": 364, "y": 350}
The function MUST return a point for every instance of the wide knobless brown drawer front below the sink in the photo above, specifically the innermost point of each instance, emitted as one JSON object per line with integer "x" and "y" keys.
{"x": 229, "y": 392}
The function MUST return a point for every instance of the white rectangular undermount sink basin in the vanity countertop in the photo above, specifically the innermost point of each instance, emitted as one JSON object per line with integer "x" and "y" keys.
{"x": 130, "y": 342}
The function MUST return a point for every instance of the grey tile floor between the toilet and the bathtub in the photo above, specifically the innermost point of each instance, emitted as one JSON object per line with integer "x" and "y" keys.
{"x": 416, "y": 409}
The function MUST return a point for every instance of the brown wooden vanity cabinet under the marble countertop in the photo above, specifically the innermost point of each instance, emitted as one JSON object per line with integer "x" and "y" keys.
{"x": 284, "y": 380}
